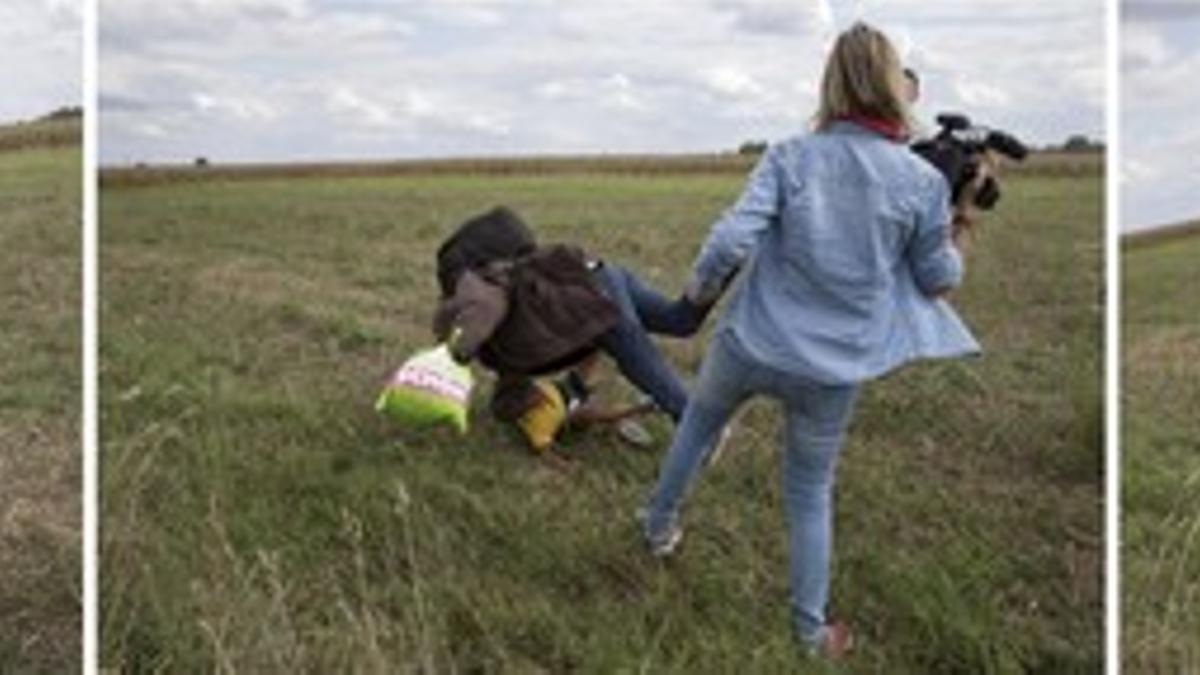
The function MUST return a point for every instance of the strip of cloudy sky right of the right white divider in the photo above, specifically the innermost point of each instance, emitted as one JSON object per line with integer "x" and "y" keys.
{"x": 1160, "y": 100}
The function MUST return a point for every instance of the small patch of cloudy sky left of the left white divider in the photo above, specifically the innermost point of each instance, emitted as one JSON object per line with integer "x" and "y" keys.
{"x": 40, "y": 57}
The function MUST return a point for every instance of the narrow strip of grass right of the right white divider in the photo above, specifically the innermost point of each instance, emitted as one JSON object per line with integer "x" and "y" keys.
{"x": 1161, "y": 453}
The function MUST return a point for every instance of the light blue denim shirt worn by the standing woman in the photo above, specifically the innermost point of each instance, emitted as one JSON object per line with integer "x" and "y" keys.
{"x": 845, "y": 238}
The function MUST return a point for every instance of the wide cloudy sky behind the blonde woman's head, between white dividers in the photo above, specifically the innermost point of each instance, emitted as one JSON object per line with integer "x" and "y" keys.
{"x": 291, "y": 80}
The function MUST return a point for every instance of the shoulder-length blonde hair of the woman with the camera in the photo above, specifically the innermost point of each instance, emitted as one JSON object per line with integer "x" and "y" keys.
{"x": 863, "y": 76}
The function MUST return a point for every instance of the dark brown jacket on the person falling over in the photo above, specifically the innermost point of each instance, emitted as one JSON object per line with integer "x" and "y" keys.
{"x": 531, "y": 316}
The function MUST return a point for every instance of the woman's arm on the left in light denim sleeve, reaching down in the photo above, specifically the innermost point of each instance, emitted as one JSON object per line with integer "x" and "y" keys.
{"x": 737, "y": 234}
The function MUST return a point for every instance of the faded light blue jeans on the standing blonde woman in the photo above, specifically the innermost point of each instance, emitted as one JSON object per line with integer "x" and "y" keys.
{"x": 817, "y": 419}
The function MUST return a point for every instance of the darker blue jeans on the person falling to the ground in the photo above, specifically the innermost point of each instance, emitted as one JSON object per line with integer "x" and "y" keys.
{"x": 645, "y": 312}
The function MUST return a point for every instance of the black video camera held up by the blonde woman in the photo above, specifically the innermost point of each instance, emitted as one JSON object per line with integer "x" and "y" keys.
{"x": 961, "y": 150}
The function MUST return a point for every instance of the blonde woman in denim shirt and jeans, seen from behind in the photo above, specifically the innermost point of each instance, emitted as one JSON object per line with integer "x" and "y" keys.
{"x": 847, "y": 241}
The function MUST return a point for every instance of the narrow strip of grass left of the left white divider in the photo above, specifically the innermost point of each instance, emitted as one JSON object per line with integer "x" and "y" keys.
{"x": 40, "y": 473}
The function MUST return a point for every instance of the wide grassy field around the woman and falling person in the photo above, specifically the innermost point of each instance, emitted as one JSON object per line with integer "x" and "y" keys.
{"x": 260, "y": 517}
